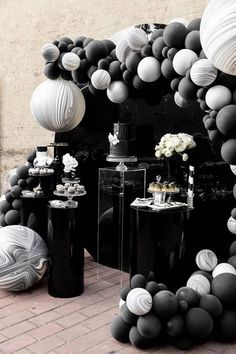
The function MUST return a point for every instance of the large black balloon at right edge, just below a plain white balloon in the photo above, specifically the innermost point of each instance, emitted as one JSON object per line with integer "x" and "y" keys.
{"x": 225, "y": 120}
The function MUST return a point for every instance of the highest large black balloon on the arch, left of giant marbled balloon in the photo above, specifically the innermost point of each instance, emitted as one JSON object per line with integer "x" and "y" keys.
{"x": 174, "y": 34}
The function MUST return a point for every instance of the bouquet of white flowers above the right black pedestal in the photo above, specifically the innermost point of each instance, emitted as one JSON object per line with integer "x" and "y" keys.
{"x": 174, "y": 144}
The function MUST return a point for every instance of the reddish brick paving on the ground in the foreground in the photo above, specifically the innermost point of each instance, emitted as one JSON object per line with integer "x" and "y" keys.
{"x": 35, "y": 322}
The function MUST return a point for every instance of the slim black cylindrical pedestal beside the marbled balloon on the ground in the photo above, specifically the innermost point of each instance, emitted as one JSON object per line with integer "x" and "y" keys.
{"x": 66, "y": 253}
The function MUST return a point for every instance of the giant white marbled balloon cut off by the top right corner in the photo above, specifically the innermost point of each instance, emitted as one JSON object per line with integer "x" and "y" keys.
{"x": 217, "y": 34}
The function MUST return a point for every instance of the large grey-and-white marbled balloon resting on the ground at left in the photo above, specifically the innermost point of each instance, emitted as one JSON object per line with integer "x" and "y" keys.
{"x": 23, "y": 258}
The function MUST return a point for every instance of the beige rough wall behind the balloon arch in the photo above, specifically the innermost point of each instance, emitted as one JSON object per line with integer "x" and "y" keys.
{"x": 26, "y": 25}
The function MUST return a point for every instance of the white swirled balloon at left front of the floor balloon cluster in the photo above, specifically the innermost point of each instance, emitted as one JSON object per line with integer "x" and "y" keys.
{"x": 139, "y": 301}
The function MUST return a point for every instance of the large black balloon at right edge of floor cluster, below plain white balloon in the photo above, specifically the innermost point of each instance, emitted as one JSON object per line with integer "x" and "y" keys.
{"x": 223, "y": 286}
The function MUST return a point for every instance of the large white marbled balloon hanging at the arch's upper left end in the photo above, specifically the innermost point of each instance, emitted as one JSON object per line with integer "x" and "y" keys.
{"x": 58, "y": 105}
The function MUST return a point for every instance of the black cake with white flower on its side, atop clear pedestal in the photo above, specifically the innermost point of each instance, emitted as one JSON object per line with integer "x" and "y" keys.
{"x": 120, "y": 140}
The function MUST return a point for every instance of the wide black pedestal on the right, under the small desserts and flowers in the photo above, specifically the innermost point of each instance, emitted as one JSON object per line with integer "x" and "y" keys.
{"x": 157, "y": 240}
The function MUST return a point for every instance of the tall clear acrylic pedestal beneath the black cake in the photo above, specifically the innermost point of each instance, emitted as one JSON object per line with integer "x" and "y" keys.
{"x": 116, "y": 190}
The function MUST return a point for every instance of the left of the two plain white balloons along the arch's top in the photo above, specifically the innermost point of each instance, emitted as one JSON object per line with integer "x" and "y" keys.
{"x": 149, "y": 69}
